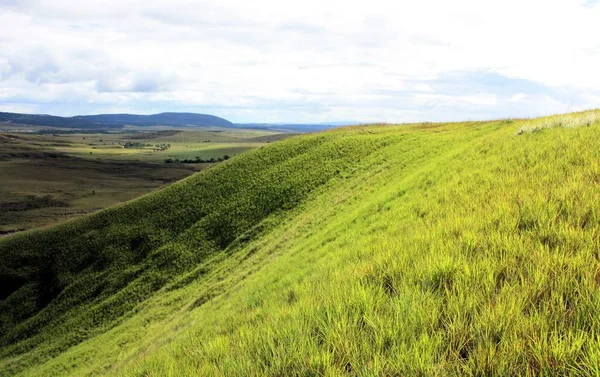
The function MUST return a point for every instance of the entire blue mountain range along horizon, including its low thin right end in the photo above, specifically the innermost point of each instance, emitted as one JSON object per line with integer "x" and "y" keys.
{"x": 109, "y": 121}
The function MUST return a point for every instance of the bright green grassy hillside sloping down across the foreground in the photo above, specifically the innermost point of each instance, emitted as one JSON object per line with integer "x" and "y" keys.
{"x": 427, "y": 249}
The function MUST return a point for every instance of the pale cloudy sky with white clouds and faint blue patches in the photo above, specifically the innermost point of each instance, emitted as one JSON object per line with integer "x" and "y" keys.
{"x": 301, "y": 61}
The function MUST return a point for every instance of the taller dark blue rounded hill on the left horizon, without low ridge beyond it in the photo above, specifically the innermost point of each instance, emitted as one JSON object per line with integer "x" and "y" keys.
{"x": 116, "y": 120}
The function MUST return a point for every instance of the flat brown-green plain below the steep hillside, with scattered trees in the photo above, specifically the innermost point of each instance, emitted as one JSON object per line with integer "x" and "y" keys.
{"x": 50, "y": 177}
